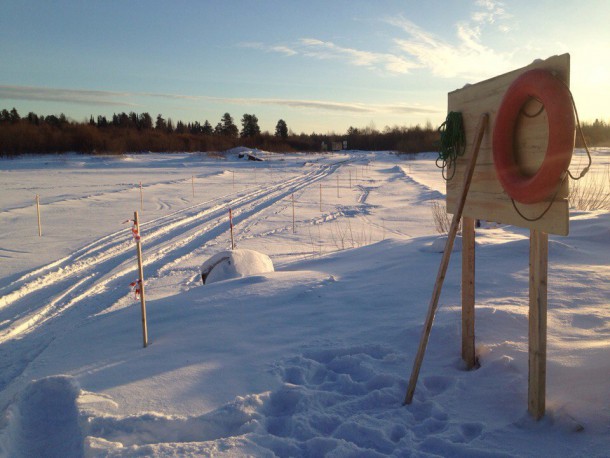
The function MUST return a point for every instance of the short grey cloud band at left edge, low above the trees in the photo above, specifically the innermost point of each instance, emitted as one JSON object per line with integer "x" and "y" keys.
{"x": 85, "y": 97}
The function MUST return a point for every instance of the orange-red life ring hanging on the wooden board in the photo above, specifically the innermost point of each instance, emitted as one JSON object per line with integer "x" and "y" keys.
{"x": 556, "y": 99}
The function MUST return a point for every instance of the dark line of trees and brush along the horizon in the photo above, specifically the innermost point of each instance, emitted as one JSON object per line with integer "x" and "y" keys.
{"x": 139, "y": 132}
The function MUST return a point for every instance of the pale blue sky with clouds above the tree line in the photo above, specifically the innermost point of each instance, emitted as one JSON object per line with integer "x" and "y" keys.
{"x": 322, "y": 66}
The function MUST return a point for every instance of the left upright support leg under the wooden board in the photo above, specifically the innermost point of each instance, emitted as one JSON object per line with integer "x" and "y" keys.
{"x": 468, "y": 296}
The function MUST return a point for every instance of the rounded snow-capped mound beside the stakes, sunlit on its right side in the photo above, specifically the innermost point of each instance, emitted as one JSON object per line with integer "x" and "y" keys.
{"x": 235, "y": 264}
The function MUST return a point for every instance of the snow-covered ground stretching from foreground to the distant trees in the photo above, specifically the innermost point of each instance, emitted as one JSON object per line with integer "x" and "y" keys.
{"x": 310, "y": 360}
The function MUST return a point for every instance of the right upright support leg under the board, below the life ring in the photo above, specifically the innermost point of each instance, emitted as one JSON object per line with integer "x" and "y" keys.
{"x": 539, "y": 249}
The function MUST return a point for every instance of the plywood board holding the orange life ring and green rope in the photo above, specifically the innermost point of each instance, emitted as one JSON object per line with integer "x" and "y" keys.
{"x": 487, "y": 199}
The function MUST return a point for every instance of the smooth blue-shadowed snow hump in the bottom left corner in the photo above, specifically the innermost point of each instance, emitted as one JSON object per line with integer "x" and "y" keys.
{"x": 44, "y": 421}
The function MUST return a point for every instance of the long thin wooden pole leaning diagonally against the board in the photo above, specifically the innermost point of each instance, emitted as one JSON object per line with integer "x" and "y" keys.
{"x": 442, "y": 270}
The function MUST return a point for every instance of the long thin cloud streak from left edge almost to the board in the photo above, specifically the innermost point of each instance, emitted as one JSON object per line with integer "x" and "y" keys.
{"x": 129, "y": 99}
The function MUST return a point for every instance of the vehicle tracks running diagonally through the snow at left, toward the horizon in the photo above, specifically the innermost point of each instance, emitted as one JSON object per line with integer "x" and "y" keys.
{"x": 104, "y": 264}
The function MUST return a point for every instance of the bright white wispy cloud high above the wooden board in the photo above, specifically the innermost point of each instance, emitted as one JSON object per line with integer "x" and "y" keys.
{"x": 467, "y": 55}
